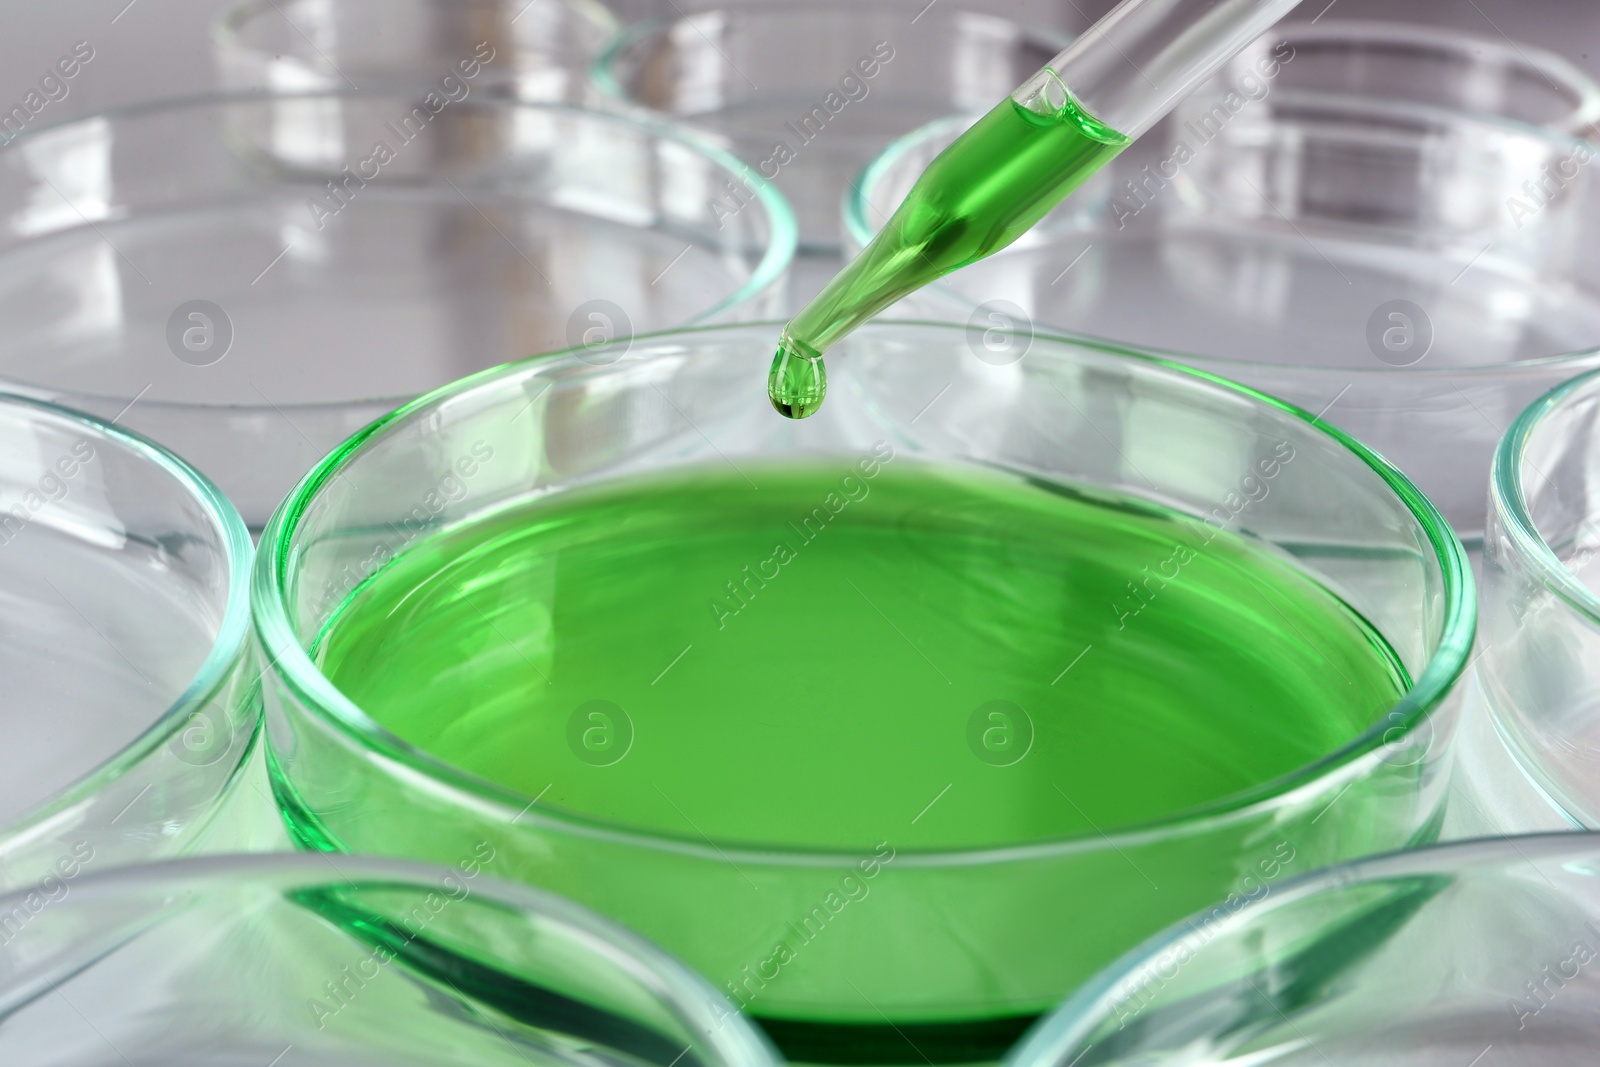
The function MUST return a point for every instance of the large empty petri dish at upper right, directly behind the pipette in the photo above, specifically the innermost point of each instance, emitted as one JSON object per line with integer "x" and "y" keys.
{"x": 1415, "y": 276}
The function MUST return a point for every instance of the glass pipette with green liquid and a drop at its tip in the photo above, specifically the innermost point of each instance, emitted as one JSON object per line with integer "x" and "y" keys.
{"x": 1018, "y": 162}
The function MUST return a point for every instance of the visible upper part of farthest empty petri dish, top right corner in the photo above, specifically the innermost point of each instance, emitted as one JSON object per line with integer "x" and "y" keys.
{"x": 1423, "y": 65}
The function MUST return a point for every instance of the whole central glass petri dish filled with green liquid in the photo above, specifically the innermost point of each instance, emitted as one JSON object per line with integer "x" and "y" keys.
{"x": 721, "y": 841}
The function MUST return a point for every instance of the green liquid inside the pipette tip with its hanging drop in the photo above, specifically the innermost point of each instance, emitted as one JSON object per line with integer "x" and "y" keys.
{"x": 983, "y": 193}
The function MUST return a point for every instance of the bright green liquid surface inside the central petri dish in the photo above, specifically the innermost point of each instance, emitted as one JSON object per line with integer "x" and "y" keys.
{"x": 854, "y": 650}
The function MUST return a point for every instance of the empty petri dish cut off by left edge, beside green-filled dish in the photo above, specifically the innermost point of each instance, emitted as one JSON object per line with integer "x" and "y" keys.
{"x": 129, "y": 701}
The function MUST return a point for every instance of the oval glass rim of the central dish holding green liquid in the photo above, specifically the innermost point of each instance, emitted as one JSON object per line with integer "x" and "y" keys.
{"x": 300, "y": 674}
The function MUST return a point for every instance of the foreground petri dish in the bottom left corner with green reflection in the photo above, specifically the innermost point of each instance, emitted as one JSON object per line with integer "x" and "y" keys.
{"x": 239, "y": 961}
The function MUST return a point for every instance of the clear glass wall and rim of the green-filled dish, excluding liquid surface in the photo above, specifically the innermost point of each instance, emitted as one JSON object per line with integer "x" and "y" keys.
{"x": 948, "y": 925}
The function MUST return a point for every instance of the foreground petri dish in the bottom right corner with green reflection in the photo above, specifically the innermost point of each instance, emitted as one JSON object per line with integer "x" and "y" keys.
{"x": 1414, "y": 961}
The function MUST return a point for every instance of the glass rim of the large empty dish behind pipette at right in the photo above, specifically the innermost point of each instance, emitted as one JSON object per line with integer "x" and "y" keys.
{"x": 854, "y": 207}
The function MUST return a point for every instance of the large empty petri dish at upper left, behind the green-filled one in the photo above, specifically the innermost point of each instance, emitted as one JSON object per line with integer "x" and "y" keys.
{"x": 249, "y": 281}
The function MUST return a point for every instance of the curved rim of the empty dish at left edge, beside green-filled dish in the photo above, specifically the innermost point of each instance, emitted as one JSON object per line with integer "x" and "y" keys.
{"x": 228, "y": 647}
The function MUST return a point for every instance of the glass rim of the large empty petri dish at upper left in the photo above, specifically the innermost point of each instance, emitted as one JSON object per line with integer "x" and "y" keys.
{"x": 769, "y": 273}
